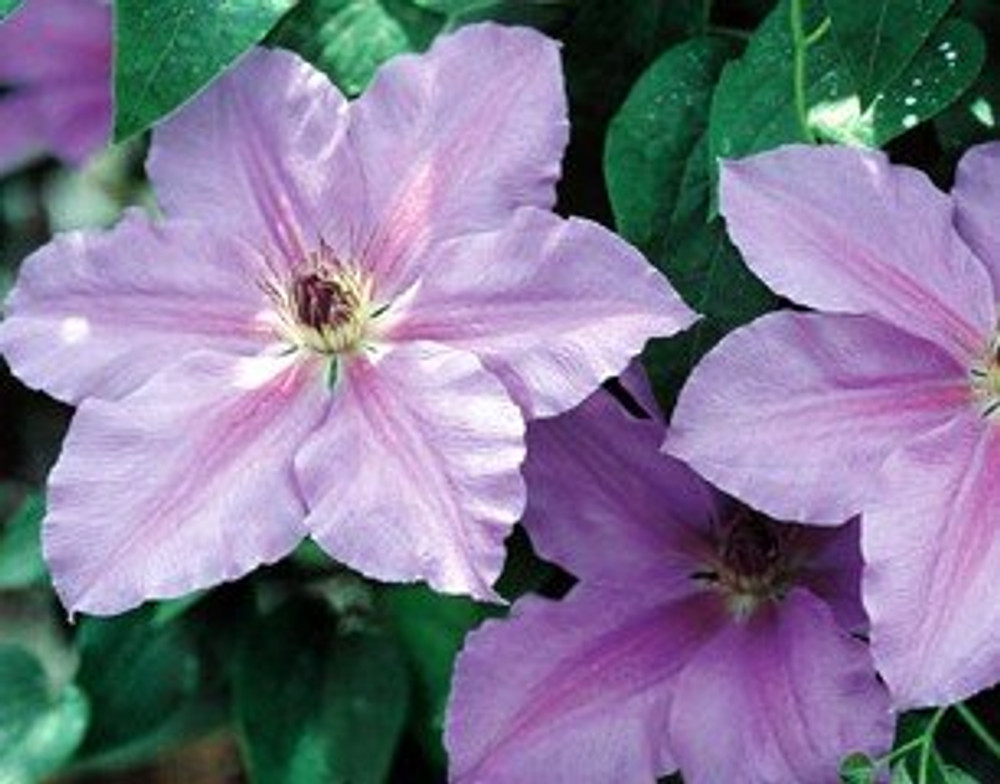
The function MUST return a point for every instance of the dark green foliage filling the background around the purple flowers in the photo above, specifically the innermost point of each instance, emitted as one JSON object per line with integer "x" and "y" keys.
{"x": 314, "y": 673}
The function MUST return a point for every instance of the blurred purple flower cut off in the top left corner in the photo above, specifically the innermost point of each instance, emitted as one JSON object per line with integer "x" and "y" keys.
{"x": 55, "y": 57}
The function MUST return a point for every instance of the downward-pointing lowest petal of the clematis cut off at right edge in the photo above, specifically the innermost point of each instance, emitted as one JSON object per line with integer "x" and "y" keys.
{"x": 932, "y": 554}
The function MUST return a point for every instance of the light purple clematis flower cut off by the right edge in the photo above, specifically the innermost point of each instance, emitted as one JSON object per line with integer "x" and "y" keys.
{"x": 886, "y": 403}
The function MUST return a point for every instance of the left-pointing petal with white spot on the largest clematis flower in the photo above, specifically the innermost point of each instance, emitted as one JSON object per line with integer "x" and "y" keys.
{"x": 97, "y": 313}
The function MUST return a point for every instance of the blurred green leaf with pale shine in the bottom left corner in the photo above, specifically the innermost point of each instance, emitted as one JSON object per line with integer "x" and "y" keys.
{"x": 39, "y": 730}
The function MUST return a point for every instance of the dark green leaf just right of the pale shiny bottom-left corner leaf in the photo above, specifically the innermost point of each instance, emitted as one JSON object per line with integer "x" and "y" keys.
{"x": 140, "y": 675}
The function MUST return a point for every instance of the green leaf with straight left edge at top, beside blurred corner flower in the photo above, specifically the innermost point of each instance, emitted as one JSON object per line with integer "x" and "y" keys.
{"x": 167, "y": 51}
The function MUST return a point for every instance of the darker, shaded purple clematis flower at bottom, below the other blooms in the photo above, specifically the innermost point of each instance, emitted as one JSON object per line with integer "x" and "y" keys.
{"x": 701, "y": 635}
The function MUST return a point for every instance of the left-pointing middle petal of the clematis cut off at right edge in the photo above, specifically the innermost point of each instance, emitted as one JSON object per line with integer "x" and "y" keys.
{"x": 795, "y": 412}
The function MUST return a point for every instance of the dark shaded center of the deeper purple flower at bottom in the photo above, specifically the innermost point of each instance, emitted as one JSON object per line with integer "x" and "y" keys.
{"x": 752, "y": 563}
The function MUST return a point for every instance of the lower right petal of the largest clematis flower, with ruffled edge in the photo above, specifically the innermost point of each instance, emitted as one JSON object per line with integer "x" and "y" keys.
{"x": 415, "y": 474}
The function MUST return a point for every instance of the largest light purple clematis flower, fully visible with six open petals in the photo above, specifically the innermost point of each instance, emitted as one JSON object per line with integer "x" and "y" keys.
{"x": 338, "y": 331}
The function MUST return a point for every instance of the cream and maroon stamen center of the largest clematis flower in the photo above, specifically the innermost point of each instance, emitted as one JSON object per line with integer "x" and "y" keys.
{"x": 326, "y": 306}
